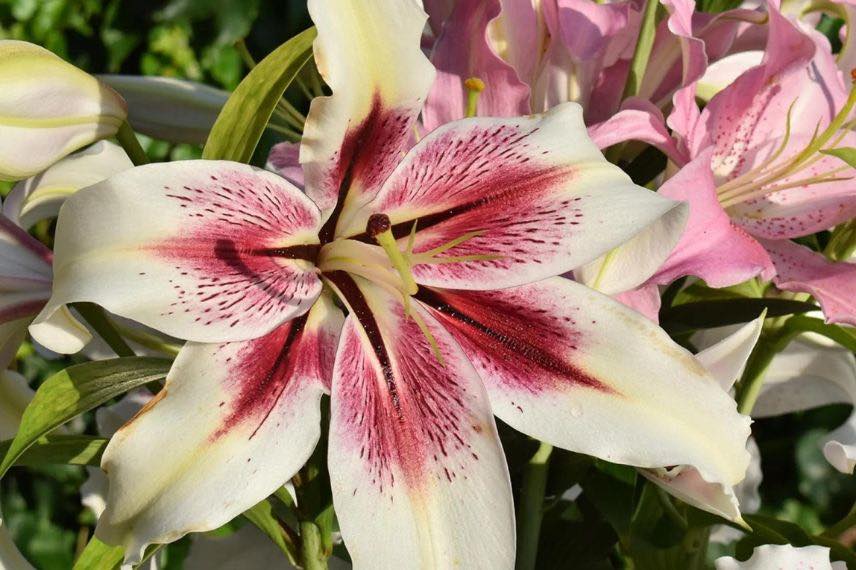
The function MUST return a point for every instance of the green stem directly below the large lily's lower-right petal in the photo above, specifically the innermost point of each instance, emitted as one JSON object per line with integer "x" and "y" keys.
{"x": 532, "y": 507}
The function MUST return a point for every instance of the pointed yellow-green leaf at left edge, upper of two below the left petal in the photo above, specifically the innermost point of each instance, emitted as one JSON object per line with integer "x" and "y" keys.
{"x": 78, "y": 389}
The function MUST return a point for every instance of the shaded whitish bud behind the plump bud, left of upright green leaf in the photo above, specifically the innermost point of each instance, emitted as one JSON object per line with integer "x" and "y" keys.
{"x": 169, "y": 109}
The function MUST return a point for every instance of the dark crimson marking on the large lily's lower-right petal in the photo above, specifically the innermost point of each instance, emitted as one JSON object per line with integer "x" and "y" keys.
{"x": 513, "y": 340}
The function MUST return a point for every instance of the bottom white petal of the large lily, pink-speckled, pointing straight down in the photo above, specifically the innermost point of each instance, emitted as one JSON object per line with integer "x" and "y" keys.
{"x": 418, "y": 475}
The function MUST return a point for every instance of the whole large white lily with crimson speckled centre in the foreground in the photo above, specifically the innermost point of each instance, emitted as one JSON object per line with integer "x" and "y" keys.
{"x": 447, "y": 260}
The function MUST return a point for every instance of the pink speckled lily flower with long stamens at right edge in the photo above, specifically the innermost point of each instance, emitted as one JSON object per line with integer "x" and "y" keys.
{"x": 757, "y": 177}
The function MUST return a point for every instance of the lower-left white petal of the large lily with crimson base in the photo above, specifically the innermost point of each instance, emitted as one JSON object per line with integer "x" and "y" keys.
{"x": 234, "y": 422}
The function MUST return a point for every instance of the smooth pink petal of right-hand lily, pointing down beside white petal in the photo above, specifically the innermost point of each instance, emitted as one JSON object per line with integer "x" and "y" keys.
{"x": 712, "y": 247}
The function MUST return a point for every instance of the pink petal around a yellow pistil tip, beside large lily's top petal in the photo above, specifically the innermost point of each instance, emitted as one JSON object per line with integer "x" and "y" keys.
{"x": 463, "y": 51}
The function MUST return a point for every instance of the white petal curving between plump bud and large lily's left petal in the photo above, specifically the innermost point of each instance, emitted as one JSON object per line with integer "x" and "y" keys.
{"x": 41, "y": 196}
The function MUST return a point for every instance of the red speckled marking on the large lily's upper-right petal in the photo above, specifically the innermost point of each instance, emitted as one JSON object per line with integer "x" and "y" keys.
{"x": 485, "y": 179}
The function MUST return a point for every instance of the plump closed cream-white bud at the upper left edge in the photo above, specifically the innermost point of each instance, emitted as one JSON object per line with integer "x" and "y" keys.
{"x": 50, "y": 109}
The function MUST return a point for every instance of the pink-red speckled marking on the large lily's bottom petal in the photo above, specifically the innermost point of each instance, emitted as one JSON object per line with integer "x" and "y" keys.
{"x": 399, "y": 408}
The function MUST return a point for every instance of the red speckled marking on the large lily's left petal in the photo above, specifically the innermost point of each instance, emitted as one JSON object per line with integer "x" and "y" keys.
{"x": 229, "y": 261}
